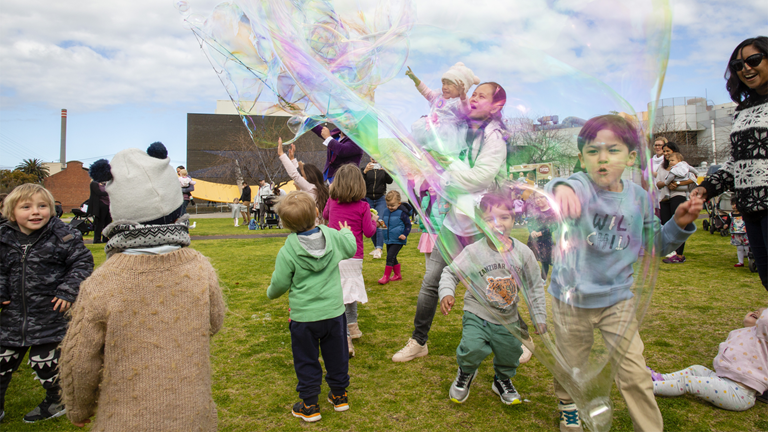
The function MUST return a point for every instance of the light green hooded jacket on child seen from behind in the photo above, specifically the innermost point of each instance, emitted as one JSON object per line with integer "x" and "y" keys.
{"x": 313, "y": 282}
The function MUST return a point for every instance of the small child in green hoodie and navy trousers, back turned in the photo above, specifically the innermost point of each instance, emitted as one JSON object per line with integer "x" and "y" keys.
{"x": 308, "y": 268}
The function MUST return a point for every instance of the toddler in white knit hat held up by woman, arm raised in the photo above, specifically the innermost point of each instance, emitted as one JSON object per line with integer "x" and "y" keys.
{"x": 443, "y": 132}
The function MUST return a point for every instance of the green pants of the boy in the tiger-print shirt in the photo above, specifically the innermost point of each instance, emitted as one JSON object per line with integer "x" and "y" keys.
{"x": 479, "y": 338}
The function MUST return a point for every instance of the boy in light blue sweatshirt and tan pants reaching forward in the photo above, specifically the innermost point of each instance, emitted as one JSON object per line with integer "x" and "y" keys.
{"x": 610, "y": 220}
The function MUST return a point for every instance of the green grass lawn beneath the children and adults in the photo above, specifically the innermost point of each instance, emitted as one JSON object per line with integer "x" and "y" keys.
{"x": 693, "y": 308}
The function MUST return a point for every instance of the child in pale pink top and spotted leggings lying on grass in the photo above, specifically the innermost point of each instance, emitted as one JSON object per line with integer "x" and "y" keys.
{"x": 741, "y": 369}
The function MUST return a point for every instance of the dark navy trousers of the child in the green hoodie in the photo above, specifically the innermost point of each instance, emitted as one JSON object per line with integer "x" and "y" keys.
{"x": 307, "y": 338}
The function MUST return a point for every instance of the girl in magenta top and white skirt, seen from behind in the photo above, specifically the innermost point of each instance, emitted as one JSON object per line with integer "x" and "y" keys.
{"x": 347, "y": 204}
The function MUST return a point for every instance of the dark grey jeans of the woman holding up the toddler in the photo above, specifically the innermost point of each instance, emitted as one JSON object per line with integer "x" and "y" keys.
{"x": 426, "y": 305}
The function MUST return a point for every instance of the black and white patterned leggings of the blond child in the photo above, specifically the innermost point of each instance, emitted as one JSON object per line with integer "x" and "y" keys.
{"x": 44, "y": 360}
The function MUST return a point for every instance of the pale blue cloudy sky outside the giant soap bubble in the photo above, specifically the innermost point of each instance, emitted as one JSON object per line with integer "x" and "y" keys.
{"x": 129, "y": 72}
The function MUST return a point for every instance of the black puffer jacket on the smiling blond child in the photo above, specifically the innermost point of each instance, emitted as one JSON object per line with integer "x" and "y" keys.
{"x": 53, "y": 266}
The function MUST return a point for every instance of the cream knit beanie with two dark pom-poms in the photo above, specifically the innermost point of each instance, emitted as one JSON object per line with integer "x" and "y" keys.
{"x": 142, "y": 187}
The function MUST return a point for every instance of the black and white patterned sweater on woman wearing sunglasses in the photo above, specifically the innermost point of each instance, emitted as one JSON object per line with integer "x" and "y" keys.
{"x": 745, "y": 172}
